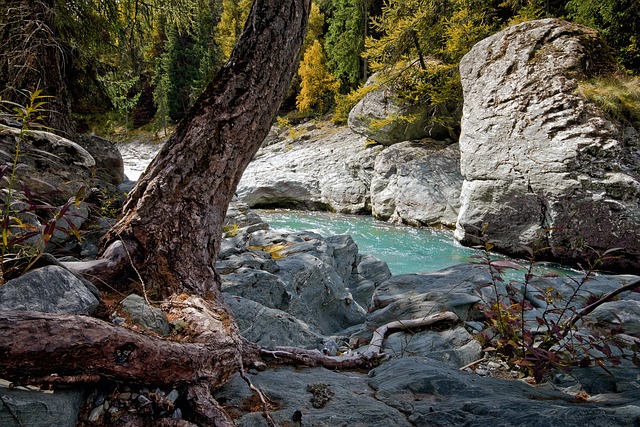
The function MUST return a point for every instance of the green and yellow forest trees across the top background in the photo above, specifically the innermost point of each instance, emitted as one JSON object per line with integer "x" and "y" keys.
{"x": 145, "y": 63}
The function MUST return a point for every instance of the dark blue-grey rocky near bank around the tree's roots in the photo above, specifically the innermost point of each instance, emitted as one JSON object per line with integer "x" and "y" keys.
{"x": 303, "y": 289}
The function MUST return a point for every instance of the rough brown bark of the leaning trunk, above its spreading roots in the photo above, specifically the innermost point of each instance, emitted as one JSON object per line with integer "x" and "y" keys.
{"x": 175, "y": 212}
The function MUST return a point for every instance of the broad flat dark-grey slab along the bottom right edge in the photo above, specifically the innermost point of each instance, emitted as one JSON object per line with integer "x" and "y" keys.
{"x": 423, "y": 392}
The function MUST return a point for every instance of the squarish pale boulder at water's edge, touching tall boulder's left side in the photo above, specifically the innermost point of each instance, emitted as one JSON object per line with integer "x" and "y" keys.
{"x": 417, "y": 184}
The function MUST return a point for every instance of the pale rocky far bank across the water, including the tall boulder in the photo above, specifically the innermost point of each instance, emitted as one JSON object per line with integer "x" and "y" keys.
{"x": 538, "y": 165}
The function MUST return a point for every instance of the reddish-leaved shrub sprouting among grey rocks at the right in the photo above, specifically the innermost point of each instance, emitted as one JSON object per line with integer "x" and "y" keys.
{"x": 556, "y": 336}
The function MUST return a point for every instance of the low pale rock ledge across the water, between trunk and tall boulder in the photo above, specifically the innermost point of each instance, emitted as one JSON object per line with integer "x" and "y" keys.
{"x": 325, "y": 168}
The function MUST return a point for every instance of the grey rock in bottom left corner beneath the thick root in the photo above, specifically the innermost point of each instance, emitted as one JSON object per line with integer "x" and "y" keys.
{"x": 39, "y": 409}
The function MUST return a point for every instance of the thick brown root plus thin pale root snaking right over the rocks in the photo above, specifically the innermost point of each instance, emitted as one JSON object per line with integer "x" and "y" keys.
{"x": 85, "y": 349}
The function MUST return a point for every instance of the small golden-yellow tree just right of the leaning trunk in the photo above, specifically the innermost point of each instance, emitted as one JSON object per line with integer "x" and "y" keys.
{"x": 317, "y": 85}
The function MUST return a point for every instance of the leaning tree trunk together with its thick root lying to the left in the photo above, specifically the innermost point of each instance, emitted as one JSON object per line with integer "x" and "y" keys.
{"x": 171, "y": 227}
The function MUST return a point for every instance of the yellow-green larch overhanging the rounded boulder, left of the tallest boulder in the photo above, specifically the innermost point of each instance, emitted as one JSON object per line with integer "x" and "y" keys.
{"x": 420, "y": 45}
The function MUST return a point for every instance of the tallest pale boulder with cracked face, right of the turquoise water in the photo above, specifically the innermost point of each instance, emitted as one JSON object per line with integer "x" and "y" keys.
{"x": 536, "y": 156}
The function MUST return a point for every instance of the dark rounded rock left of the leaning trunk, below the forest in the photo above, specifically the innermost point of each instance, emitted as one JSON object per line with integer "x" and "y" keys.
{"x": 109, "y": 164}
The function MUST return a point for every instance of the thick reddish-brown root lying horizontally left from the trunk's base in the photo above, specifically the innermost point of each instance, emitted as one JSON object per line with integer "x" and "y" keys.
{"x": 36, "y": 346}
